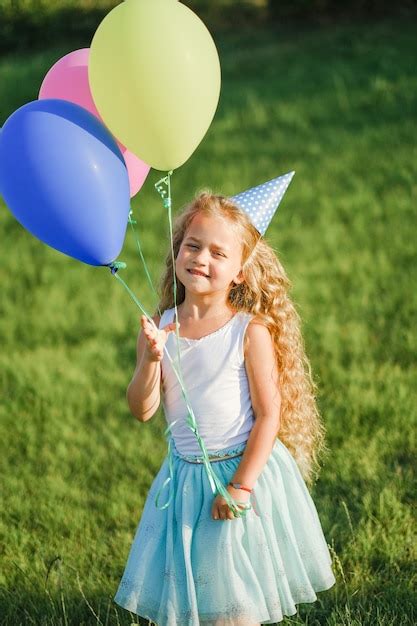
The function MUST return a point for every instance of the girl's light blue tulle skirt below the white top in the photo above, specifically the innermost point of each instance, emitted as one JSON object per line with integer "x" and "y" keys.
{"x": 187, "y": 569}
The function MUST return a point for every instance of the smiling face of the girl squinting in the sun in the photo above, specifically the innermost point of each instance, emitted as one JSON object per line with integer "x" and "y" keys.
{"x": 210, "y": 256}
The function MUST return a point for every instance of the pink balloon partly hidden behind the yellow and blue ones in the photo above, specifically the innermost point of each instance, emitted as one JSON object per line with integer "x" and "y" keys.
{"x": 68, "y": 80}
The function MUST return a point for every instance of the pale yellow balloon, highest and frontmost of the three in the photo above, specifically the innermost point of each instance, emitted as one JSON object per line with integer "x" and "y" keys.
{"x": 154, "y": 74}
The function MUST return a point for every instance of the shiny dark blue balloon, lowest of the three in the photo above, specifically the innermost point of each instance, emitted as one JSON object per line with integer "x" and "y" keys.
{"x": 65, "y": 180}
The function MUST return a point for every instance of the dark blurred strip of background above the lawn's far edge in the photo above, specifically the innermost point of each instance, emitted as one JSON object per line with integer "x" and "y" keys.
{"x": 25, "y": 23}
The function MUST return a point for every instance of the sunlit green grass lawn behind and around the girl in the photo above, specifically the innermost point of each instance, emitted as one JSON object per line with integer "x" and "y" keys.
{"x": 337, "y": 104}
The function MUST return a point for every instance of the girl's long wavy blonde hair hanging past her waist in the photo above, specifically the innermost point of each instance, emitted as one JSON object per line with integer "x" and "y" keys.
{"x": 264, "y": 293}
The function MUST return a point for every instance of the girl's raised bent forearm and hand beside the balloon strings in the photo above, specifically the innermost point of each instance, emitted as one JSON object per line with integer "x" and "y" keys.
{"x": 143, "y": 393}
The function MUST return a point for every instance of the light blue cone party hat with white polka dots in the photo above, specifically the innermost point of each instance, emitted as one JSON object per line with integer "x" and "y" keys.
{"x": 261, "y": 202}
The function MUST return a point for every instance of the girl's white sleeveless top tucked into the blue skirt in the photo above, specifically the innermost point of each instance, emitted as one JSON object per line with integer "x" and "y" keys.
{"x": 217, "y": 386}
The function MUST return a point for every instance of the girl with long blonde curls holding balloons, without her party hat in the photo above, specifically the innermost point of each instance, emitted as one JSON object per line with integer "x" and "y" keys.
{"x": 198, "y": 561}
